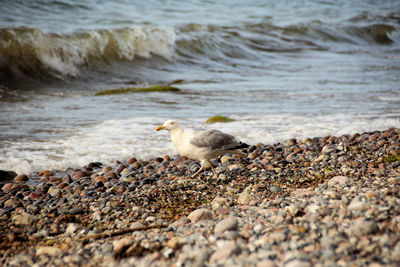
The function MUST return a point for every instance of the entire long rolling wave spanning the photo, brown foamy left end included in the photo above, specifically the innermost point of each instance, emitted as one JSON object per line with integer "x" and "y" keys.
{"x": 29, "y": 52}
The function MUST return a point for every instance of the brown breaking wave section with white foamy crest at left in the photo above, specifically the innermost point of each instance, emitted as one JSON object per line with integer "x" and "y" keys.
{"x": 29, "y": 52}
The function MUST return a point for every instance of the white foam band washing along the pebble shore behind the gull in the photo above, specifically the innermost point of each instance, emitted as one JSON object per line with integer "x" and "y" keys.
{"x": 136, "y": 137}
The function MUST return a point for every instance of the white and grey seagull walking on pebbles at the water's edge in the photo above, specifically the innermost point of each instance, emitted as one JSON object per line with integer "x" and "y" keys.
{"x": 202, "y": 145}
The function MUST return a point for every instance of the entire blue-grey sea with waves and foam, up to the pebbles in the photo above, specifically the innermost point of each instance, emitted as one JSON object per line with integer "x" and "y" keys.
{"x": 282, "y": 70}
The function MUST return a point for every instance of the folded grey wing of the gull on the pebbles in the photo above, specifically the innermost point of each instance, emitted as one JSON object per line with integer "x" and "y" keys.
{"x": 215, "y": 139}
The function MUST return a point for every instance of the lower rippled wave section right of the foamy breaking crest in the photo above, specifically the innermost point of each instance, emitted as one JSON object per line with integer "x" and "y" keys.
{"x": 249, "y": 40}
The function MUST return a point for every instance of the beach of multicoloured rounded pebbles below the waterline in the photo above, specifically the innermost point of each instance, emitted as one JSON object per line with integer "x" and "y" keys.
{"x": 322, "y": 201}
